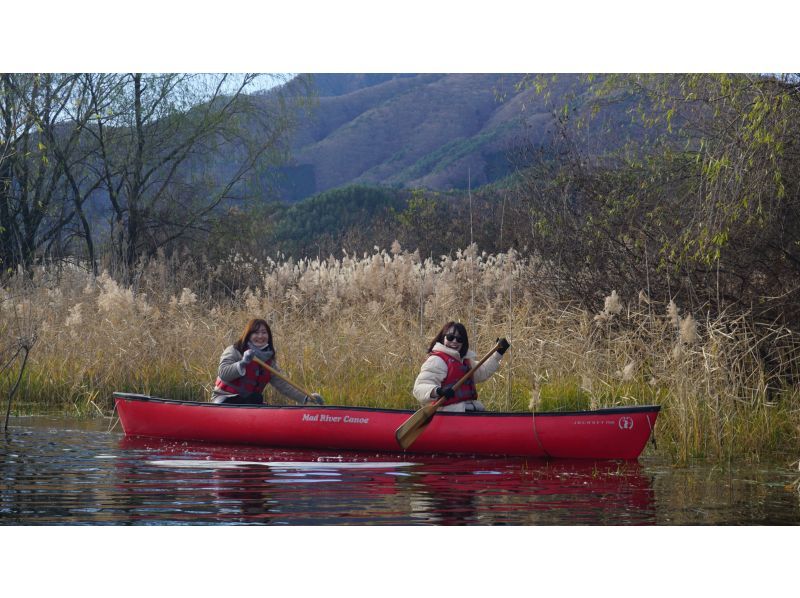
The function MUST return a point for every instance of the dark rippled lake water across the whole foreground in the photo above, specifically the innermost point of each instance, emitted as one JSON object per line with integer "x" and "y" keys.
{"x": 58, "y": 471}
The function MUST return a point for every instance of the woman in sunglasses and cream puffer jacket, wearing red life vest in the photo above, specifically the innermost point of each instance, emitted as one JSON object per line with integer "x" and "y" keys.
{"x": 449, "y": 358}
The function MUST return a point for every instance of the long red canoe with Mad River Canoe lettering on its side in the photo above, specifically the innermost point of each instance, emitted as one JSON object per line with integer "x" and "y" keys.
{"x": 615, "y": 433}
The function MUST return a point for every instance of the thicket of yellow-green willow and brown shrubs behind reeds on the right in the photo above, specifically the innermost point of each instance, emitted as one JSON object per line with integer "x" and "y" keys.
{"x": 696, "y": 195}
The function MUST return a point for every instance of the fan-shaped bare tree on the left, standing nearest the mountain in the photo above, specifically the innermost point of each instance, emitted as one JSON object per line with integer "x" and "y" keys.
{"x": 159, "y": 140}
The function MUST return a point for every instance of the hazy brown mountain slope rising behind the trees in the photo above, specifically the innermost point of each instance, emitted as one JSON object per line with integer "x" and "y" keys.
{"x": 415, "y": 130}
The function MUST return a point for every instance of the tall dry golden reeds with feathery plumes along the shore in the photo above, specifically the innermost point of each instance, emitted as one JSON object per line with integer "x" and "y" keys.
{"x": 355, "y": 329}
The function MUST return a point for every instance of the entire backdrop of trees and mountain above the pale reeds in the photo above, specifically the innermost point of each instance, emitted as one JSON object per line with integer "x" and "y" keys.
{"x": 673, "y": 185}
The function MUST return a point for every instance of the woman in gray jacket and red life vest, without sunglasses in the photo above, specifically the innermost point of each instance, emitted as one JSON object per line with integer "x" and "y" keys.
{"x": 241, "y": 381}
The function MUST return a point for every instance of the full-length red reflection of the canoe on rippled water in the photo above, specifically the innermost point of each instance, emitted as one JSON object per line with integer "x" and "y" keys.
{"x": 185, "y": 482}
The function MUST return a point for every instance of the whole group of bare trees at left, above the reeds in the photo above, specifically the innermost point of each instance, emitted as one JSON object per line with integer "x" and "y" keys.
{"x": 156, "y": 155}
